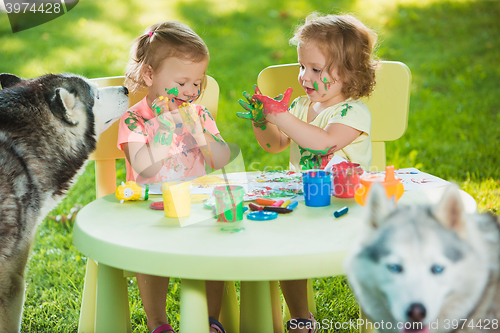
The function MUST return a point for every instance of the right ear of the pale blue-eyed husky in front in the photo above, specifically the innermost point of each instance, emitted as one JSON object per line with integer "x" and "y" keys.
{"x": 450, "y": 211}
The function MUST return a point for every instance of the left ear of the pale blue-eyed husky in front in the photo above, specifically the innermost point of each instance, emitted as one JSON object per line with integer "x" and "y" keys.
{"x": 378, "y": 205}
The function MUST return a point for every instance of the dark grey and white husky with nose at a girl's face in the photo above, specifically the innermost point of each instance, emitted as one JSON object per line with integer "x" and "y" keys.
{"x": 48, "y": 128}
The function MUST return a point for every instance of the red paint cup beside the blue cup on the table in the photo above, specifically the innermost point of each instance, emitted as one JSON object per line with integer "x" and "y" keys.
{"x": 346, "y": 176}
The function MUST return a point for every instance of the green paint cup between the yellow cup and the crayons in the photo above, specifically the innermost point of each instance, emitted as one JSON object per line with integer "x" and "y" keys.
{"x": 229, "y": 206}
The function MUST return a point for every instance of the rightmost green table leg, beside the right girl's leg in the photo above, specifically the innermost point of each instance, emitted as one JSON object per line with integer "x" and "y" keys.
{"x": 255, "y": 304}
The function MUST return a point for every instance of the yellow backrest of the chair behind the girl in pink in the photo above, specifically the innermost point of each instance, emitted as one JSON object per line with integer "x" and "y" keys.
{"x": 107, "y": 152}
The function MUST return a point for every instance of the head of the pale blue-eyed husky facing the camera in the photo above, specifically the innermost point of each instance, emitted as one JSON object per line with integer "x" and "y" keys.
{"x": 416, "y": 266}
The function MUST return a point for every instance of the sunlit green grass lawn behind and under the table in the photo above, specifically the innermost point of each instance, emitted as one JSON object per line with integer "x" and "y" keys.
{"x": 451, "y": 47}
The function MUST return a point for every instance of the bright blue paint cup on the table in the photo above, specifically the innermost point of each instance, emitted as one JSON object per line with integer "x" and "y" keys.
{"x": 317, "y": 188}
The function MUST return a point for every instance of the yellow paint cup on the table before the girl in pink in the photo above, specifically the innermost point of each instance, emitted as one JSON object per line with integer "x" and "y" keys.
{"x": 176, "y": 199}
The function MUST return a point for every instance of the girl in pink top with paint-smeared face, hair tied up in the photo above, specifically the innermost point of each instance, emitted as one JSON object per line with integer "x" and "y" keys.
{"x": 165, "y": 137}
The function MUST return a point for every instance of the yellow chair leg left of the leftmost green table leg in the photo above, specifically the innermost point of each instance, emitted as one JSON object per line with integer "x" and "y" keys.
{"x": 86, "y": 323}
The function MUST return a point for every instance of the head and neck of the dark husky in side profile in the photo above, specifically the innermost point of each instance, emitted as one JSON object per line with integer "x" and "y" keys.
{"x": 56, "y": 119}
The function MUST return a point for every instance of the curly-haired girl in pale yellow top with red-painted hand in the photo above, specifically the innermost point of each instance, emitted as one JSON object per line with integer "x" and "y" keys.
{"x": 336, "y": 70}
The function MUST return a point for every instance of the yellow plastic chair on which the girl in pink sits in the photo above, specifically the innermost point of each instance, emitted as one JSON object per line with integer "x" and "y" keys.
{"x": 105, "y": 157}
